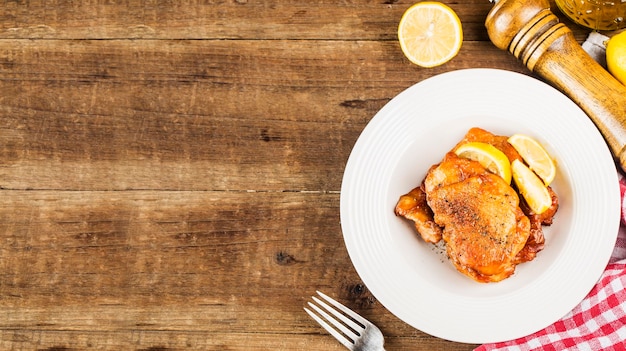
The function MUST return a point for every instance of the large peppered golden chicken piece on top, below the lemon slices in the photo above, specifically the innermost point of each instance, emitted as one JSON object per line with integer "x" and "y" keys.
{"x": 483, "y": 226}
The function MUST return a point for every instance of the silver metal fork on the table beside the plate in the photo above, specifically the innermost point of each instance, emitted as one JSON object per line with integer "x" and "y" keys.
{"x": 356, "y": 333}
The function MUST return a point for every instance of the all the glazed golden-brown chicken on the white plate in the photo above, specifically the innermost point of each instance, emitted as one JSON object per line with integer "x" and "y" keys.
{"x": 485, "y": 224}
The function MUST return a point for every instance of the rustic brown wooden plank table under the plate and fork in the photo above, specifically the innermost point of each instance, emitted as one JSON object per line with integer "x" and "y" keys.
{"x": 170, "y": 172}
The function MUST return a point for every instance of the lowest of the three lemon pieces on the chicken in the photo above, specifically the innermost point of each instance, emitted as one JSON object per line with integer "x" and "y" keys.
{"x": 531, "y": 187}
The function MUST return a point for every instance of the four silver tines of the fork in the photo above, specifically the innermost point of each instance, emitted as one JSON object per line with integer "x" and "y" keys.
{"x": 351, "y": 328}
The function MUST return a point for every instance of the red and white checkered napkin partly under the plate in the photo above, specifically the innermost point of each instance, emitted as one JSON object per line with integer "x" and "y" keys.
{"x": 598, "y": 322}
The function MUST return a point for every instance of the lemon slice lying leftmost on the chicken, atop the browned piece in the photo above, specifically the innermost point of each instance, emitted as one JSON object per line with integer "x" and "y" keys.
{"x": 488, "y": 156}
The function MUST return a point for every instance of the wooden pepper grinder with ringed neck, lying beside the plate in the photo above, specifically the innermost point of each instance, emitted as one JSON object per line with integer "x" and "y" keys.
{"x": 533, "y": 34}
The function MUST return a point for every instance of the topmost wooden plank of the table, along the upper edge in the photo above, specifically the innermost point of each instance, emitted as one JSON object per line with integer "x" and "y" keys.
{"x": 219, "y": 19}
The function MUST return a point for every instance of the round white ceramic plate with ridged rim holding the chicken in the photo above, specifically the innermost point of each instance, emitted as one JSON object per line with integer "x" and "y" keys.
{"x": 413, "y": 279}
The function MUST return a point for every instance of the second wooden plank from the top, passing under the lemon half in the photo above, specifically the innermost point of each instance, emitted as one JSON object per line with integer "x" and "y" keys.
{"x": 191, "y": 115}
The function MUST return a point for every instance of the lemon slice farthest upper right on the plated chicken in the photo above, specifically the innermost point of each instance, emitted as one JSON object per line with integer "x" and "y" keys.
{"x": 535, "y": 156}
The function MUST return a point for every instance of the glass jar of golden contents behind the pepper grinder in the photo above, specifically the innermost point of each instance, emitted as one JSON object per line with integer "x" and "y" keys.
{"x": 595, "y": 14}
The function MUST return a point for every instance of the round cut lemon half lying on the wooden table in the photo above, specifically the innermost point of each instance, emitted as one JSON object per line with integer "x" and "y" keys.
{"x": 430, "y": 34}
